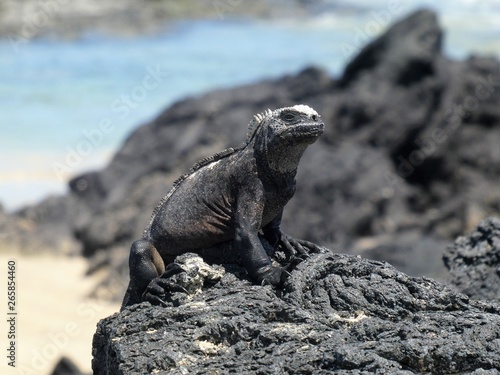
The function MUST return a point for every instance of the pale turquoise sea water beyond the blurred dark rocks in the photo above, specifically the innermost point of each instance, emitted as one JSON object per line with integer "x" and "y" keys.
{"x": 82, "y": 97}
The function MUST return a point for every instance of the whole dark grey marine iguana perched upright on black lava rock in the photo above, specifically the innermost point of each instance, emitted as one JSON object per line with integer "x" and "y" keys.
{"x": 228, "y": 202}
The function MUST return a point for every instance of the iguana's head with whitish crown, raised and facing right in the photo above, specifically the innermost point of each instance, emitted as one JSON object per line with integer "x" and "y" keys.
{"x": 281, "y": 136}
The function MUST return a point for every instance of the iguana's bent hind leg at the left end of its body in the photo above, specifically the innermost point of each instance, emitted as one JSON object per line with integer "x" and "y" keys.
{"x": 145, "y": 264}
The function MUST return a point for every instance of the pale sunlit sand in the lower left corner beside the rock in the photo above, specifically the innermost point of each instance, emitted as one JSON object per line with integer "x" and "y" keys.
{"x": 55, "y": 316}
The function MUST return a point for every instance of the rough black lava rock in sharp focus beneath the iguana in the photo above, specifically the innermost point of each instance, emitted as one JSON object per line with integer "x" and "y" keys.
{"x": 337, "y": 314}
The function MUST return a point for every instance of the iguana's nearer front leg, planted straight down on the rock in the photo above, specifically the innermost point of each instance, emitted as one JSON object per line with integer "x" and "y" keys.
{"x": 248, "y": 216}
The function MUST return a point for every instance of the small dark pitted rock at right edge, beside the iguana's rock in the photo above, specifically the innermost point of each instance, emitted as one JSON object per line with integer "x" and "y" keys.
{"x": 474, "y": 262}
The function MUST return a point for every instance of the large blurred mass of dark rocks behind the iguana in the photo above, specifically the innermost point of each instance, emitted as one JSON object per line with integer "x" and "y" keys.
{"x": 409, "y": 159}
